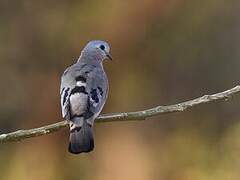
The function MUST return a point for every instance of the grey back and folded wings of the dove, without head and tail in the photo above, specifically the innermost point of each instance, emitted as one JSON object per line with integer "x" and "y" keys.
{"x": 83, "y": 91}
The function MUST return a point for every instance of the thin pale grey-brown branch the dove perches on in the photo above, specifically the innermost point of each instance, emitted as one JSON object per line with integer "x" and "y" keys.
{"x": 124, "y": 116}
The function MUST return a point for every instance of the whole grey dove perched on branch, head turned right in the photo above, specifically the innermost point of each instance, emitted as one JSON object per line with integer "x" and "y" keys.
{"x": 84, "y": 90}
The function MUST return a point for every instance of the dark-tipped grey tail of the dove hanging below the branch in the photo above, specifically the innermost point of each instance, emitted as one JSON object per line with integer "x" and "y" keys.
{"x": 81, "y": 136}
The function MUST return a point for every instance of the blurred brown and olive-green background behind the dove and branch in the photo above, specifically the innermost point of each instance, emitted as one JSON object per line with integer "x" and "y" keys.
{"x": 165, "y": 52}
